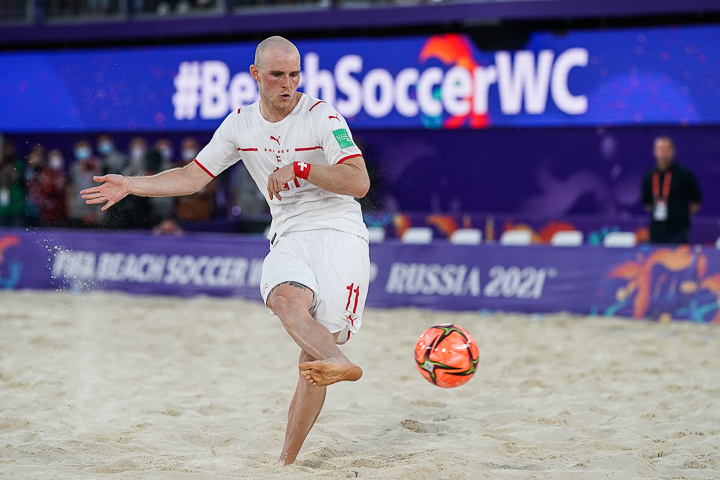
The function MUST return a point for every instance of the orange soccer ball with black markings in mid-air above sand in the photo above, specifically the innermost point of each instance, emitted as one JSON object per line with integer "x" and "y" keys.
{"x": 446, "y": 355}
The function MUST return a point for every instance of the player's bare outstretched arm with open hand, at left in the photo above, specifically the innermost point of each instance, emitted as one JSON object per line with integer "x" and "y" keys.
{"x": 170, "y": 183}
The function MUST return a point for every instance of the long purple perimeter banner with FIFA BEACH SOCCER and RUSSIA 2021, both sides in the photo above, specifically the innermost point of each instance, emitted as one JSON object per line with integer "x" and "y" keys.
{"x": 661, "y": 283}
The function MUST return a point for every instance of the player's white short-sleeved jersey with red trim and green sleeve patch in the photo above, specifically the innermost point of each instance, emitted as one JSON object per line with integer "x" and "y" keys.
{"x": 314, "y": 133}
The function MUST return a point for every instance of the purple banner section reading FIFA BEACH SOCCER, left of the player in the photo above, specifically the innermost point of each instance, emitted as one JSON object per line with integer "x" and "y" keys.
{"x": 217, "y": 265}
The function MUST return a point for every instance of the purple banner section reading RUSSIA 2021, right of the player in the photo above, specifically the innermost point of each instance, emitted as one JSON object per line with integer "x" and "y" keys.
{"x": 659, "y": 283}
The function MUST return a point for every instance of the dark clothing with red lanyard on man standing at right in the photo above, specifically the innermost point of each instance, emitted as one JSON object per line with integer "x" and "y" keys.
{"x": 670, "y": 191}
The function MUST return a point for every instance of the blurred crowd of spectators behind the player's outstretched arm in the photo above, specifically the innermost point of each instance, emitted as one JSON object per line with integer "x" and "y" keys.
{"x": 42, "y": 189}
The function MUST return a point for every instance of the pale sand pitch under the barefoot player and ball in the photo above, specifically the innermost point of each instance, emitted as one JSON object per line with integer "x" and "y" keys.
{"x": 107, "y": 385}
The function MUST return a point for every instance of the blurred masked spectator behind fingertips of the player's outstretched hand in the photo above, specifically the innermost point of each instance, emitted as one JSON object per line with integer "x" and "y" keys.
{"x": 82, "y": 172}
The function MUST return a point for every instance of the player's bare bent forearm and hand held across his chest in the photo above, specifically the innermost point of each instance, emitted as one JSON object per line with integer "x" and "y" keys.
{"x": 347, "y": 178}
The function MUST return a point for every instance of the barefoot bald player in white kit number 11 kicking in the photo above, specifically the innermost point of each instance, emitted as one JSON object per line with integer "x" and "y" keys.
{"x": 301, "y": 154}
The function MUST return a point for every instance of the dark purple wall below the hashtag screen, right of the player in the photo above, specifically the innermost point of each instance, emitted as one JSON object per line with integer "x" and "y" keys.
{"x": 544, "y": 172}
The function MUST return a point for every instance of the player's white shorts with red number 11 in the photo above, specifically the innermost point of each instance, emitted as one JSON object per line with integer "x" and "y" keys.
{"x": 335, "y": 265}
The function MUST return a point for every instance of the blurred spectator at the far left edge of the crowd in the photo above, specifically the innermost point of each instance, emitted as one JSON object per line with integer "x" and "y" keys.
{"x": 12, "y": 189}
